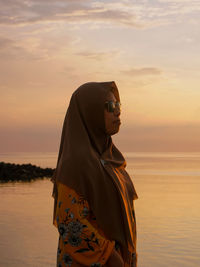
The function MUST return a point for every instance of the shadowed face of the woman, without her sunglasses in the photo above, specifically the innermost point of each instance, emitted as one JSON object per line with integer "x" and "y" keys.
{"x": 112, "y": 119}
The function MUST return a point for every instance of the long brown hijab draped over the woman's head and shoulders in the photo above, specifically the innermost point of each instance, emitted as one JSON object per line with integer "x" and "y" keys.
{"x": 91, "y": 164}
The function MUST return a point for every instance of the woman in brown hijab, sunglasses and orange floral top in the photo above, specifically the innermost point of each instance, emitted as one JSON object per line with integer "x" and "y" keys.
{"x": 94, "y": 195}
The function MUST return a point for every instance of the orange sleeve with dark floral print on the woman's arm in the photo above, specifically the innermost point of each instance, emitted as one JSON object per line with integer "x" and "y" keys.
{"x": 80, "y": 238}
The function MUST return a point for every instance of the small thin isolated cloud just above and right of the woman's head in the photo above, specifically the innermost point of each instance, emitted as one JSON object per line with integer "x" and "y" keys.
{"x": 142, "y": 71}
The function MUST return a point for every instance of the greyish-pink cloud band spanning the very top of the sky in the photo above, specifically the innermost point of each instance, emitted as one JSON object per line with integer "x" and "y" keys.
{"x": 137, "y": 14}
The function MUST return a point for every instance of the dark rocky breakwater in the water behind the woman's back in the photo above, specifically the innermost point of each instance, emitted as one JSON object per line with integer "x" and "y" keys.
{"x": 22, "y": 172}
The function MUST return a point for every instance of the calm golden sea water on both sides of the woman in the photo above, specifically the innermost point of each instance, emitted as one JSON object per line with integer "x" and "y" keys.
{"x": 167, "y": 211}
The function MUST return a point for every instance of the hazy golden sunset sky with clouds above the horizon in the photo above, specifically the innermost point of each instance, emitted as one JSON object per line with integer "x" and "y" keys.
{"x": 150, "y": 48}
